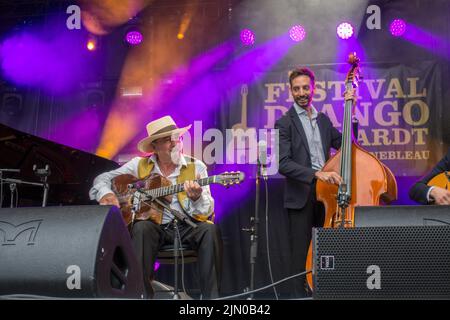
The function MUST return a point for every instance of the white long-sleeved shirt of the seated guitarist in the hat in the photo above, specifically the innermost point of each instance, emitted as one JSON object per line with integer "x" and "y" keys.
{"x": 203, "y": 206}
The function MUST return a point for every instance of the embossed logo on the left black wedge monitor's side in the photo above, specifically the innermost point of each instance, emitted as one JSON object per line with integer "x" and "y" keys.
{"x": 11, "y": 234}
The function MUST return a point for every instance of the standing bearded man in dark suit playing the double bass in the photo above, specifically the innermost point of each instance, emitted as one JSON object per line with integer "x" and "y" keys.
{"x": 306, "y": 137}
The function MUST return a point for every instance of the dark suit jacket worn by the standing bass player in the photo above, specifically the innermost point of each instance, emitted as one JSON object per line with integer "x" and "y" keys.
{"x": 295, "y": 159}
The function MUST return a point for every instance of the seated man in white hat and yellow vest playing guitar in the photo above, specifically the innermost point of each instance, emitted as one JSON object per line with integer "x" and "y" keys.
{"x": 164, "y": 142}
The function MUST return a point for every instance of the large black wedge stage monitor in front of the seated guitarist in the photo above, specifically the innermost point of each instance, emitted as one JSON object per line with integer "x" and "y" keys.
{"x": 67, "y": 252}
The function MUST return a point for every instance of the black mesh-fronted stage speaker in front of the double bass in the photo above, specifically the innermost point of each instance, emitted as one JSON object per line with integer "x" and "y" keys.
{"x": 408, "y": 262}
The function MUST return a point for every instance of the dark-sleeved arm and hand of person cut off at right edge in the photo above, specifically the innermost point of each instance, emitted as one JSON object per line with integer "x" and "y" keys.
{"x": 425, "y": 194}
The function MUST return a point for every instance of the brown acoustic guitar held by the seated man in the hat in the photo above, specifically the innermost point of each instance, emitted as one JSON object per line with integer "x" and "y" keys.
{"x": 130, "y": 189}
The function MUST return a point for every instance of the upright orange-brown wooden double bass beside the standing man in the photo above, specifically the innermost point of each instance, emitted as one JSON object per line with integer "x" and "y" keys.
{"x": 365, "y": 180}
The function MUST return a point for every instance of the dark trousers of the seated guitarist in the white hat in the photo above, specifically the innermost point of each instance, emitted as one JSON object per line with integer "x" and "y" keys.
{"x": 148, "y": 238}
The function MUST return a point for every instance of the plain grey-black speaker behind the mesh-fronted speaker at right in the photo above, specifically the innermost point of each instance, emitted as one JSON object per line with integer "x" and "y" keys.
{"x": 388, "y": 216}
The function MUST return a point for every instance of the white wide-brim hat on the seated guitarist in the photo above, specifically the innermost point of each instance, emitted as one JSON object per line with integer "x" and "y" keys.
{"x": 160, "y": 128}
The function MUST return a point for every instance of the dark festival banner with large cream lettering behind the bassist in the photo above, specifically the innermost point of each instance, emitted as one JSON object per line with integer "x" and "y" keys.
{"x": 399, "y": 110}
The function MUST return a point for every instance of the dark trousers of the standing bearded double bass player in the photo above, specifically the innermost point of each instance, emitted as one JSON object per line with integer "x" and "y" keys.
{"x": 301, "y": 222}
